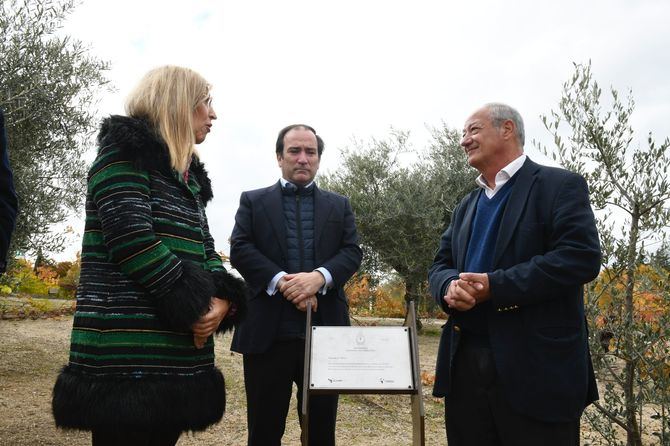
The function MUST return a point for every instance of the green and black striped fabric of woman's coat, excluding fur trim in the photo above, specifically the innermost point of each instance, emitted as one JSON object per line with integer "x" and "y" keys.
{"x": 140, "y": 227}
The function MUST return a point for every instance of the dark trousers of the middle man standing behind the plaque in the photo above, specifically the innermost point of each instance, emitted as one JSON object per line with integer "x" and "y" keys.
{"x": 268, "y": 380}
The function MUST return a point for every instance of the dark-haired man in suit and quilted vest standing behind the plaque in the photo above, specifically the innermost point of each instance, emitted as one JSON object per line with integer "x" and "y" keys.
{"x": 293, "y": 243}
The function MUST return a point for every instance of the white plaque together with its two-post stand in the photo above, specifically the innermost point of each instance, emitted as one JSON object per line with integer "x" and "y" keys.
{"x": 346, "y": 363}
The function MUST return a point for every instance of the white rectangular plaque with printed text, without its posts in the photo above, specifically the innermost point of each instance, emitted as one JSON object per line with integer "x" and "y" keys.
{"x": 350, "y": 358}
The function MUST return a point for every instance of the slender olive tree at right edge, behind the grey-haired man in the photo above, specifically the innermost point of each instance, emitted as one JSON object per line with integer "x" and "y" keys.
{"x": 629, "y": 184}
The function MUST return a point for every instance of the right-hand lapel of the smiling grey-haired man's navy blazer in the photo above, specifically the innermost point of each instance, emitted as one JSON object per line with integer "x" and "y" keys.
{"x": 515, "y": 206}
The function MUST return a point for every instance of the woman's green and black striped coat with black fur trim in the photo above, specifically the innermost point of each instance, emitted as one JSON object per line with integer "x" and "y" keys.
{"x": 148, "y": 271}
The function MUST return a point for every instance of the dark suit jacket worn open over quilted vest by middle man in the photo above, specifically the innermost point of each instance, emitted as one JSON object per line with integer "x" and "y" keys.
{"x": 258, "y": 251}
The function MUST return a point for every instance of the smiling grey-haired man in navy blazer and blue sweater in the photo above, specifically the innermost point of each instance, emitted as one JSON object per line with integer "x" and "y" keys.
{"x": 514, "y": 364}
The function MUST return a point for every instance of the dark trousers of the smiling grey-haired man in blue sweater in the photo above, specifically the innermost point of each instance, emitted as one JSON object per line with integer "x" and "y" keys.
{"x": 477, "y": 412}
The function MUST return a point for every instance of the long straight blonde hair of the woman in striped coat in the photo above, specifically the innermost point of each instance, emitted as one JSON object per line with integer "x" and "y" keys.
{"x": 167, "y": 97}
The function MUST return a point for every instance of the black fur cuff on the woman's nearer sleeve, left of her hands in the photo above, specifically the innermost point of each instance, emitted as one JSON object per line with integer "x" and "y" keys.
{"x": 188, "y": 299}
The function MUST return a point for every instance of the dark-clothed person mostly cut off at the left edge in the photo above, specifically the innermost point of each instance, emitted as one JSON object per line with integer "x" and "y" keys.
{"x": 8, "y": 204}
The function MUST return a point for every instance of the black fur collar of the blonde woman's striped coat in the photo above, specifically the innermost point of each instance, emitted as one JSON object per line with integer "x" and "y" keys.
{"x": 141, "y": 144}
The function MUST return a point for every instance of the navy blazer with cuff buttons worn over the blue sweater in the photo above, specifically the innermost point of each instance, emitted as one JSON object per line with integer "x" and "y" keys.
{"x": 547, "y": 248}
